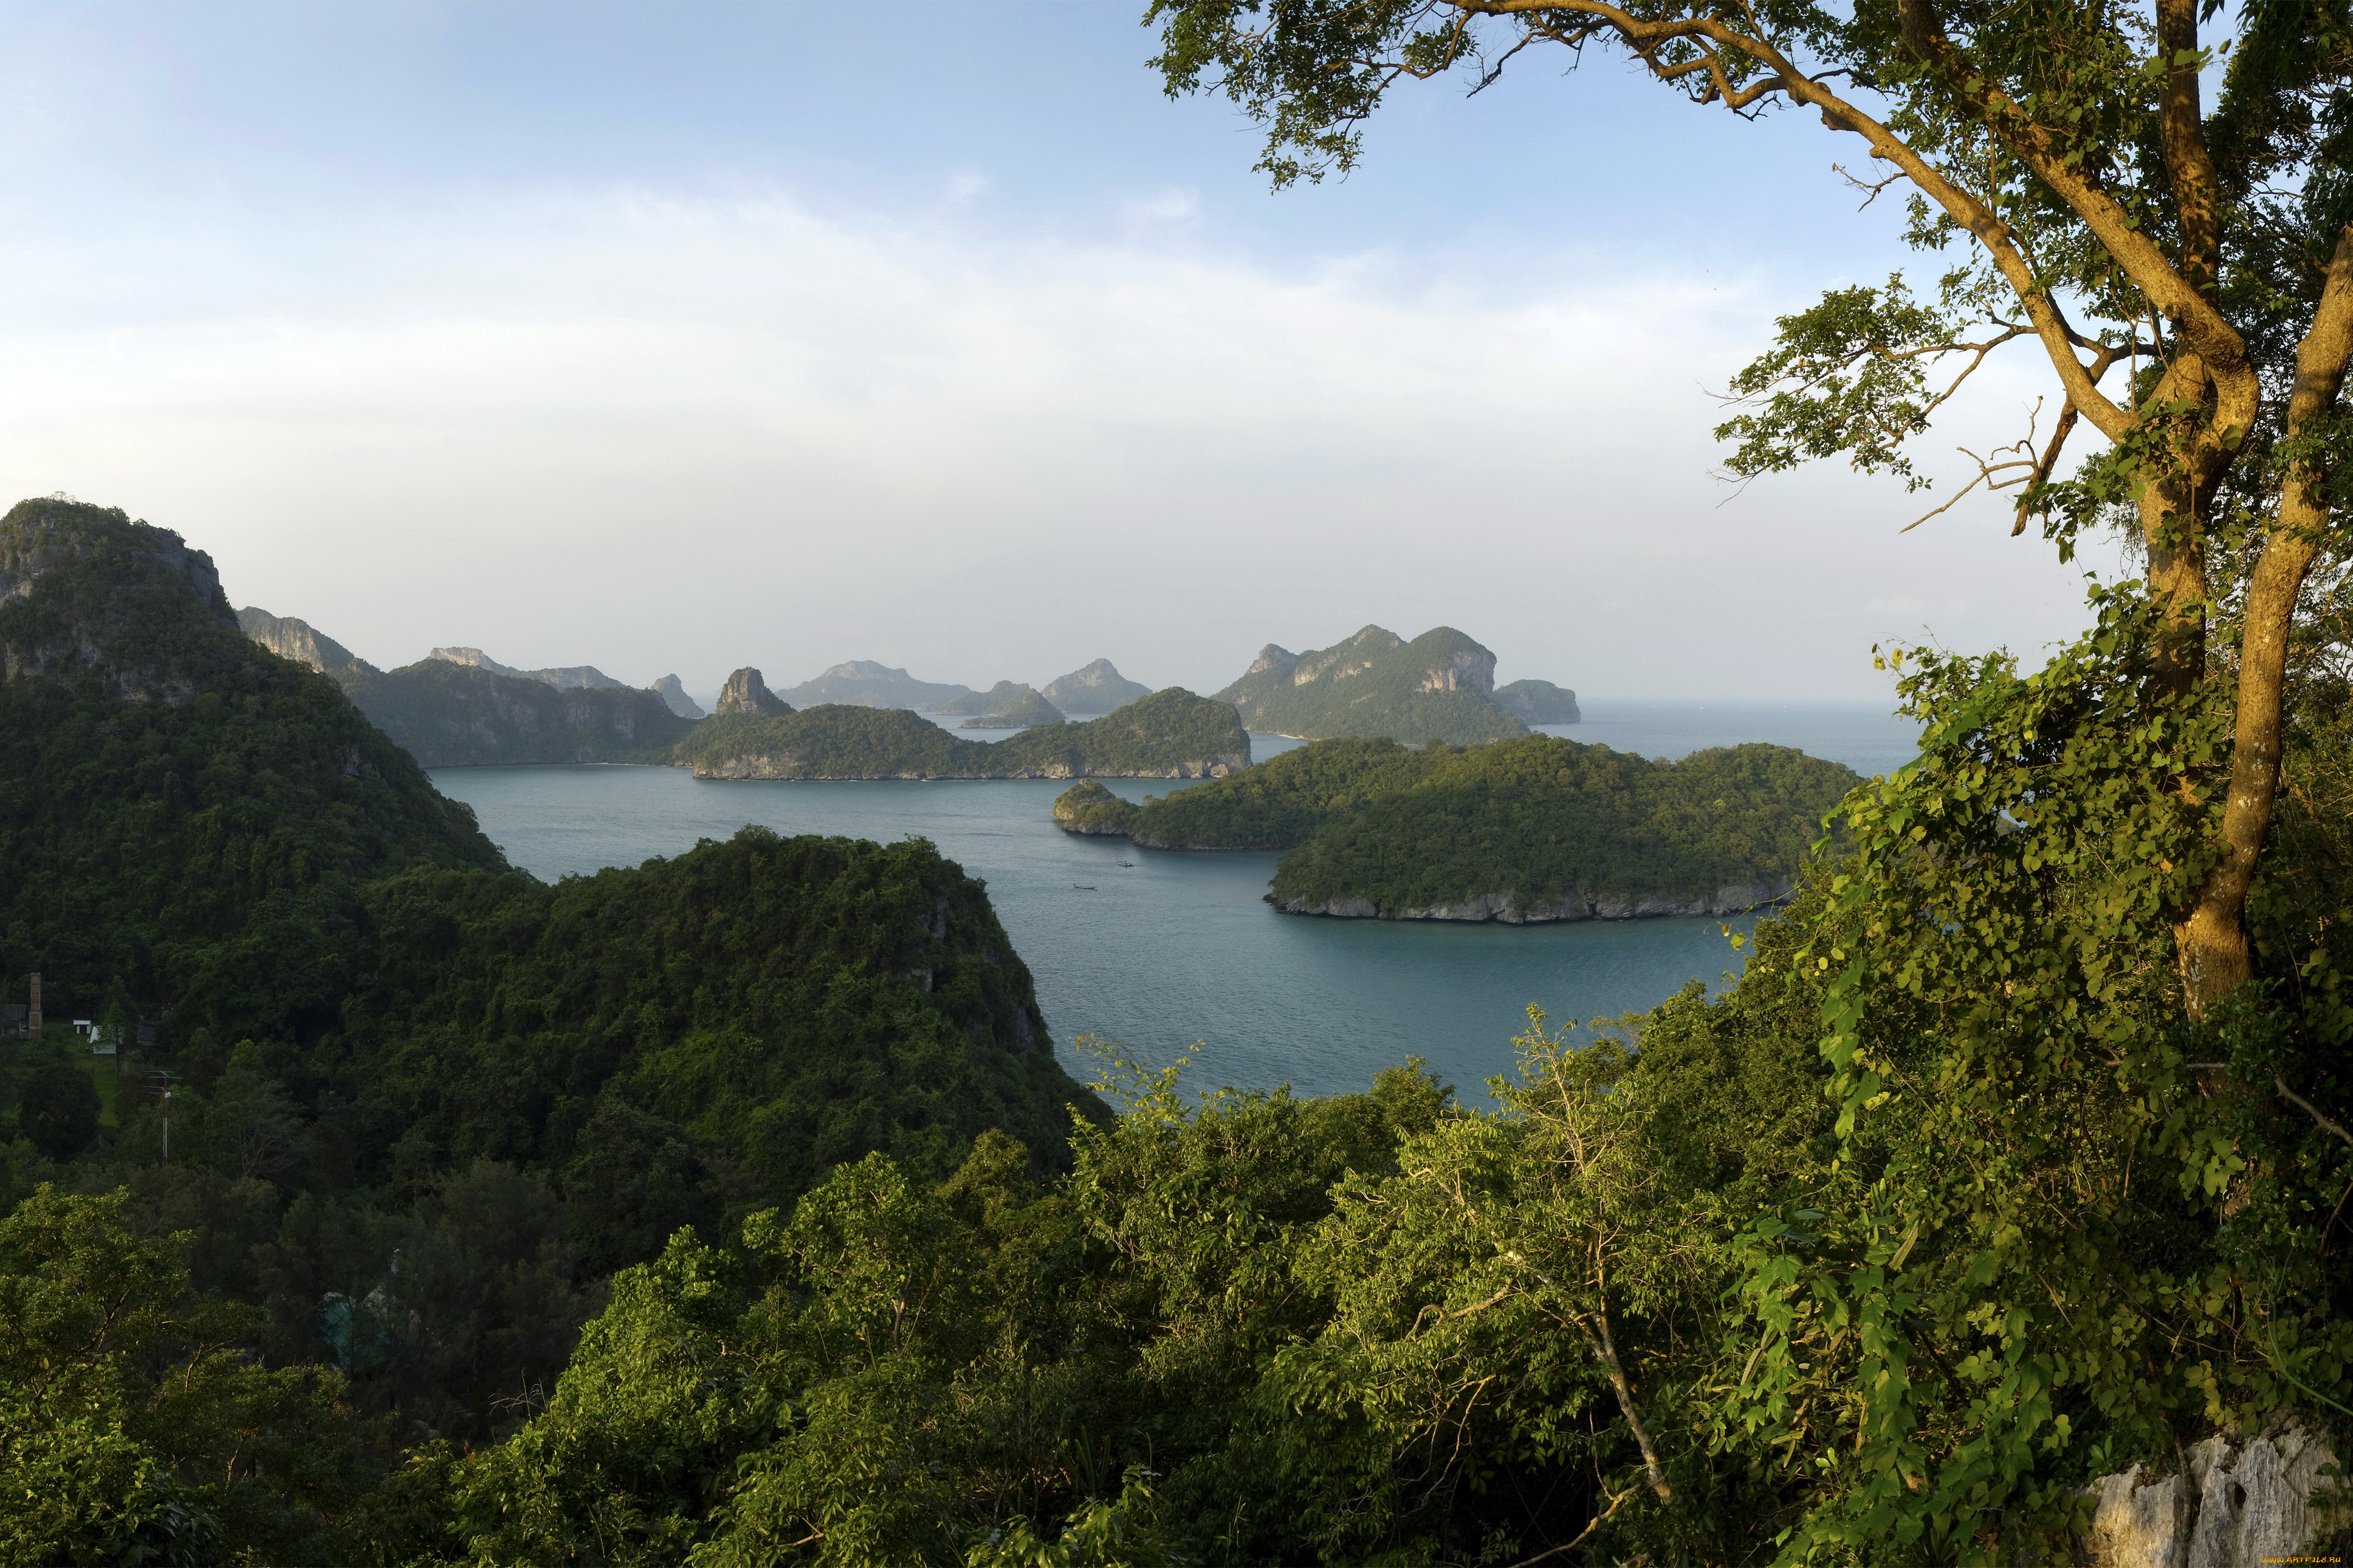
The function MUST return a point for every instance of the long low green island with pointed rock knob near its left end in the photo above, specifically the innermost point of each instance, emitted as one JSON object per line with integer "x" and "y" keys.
{"x": 1171, "y": 735}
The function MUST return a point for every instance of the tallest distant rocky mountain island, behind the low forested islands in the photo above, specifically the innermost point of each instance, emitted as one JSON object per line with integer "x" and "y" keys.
{"x": 1437, "y": 688}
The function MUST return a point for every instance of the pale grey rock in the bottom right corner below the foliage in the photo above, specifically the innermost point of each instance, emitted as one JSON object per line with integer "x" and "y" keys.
{"x": 2239, "y": 1506}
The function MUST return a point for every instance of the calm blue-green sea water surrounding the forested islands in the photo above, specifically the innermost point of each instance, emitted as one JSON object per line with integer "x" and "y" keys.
{"x": 1164, "y": 956}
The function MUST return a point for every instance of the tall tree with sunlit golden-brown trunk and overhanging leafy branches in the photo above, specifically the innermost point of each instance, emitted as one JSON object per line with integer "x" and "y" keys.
{"x": 2102, "y": 215}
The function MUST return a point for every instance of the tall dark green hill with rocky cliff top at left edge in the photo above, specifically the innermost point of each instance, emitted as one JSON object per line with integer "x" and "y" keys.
{"x": 180, "y": 808}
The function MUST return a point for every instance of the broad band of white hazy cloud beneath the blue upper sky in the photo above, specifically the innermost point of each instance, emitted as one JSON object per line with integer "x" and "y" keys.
{"x": 667, "y": 434}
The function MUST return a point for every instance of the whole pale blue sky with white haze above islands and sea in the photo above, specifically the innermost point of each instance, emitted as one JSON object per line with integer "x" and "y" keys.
{"x": 681, "y": 337}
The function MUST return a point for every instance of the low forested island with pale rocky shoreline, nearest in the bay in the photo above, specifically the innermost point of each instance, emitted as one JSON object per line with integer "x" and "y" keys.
{"x": 1512, "y": 831}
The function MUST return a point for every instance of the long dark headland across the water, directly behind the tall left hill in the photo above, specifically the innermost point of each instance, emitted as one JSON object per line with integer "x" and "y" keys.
{"x": 460, "y": 716}
